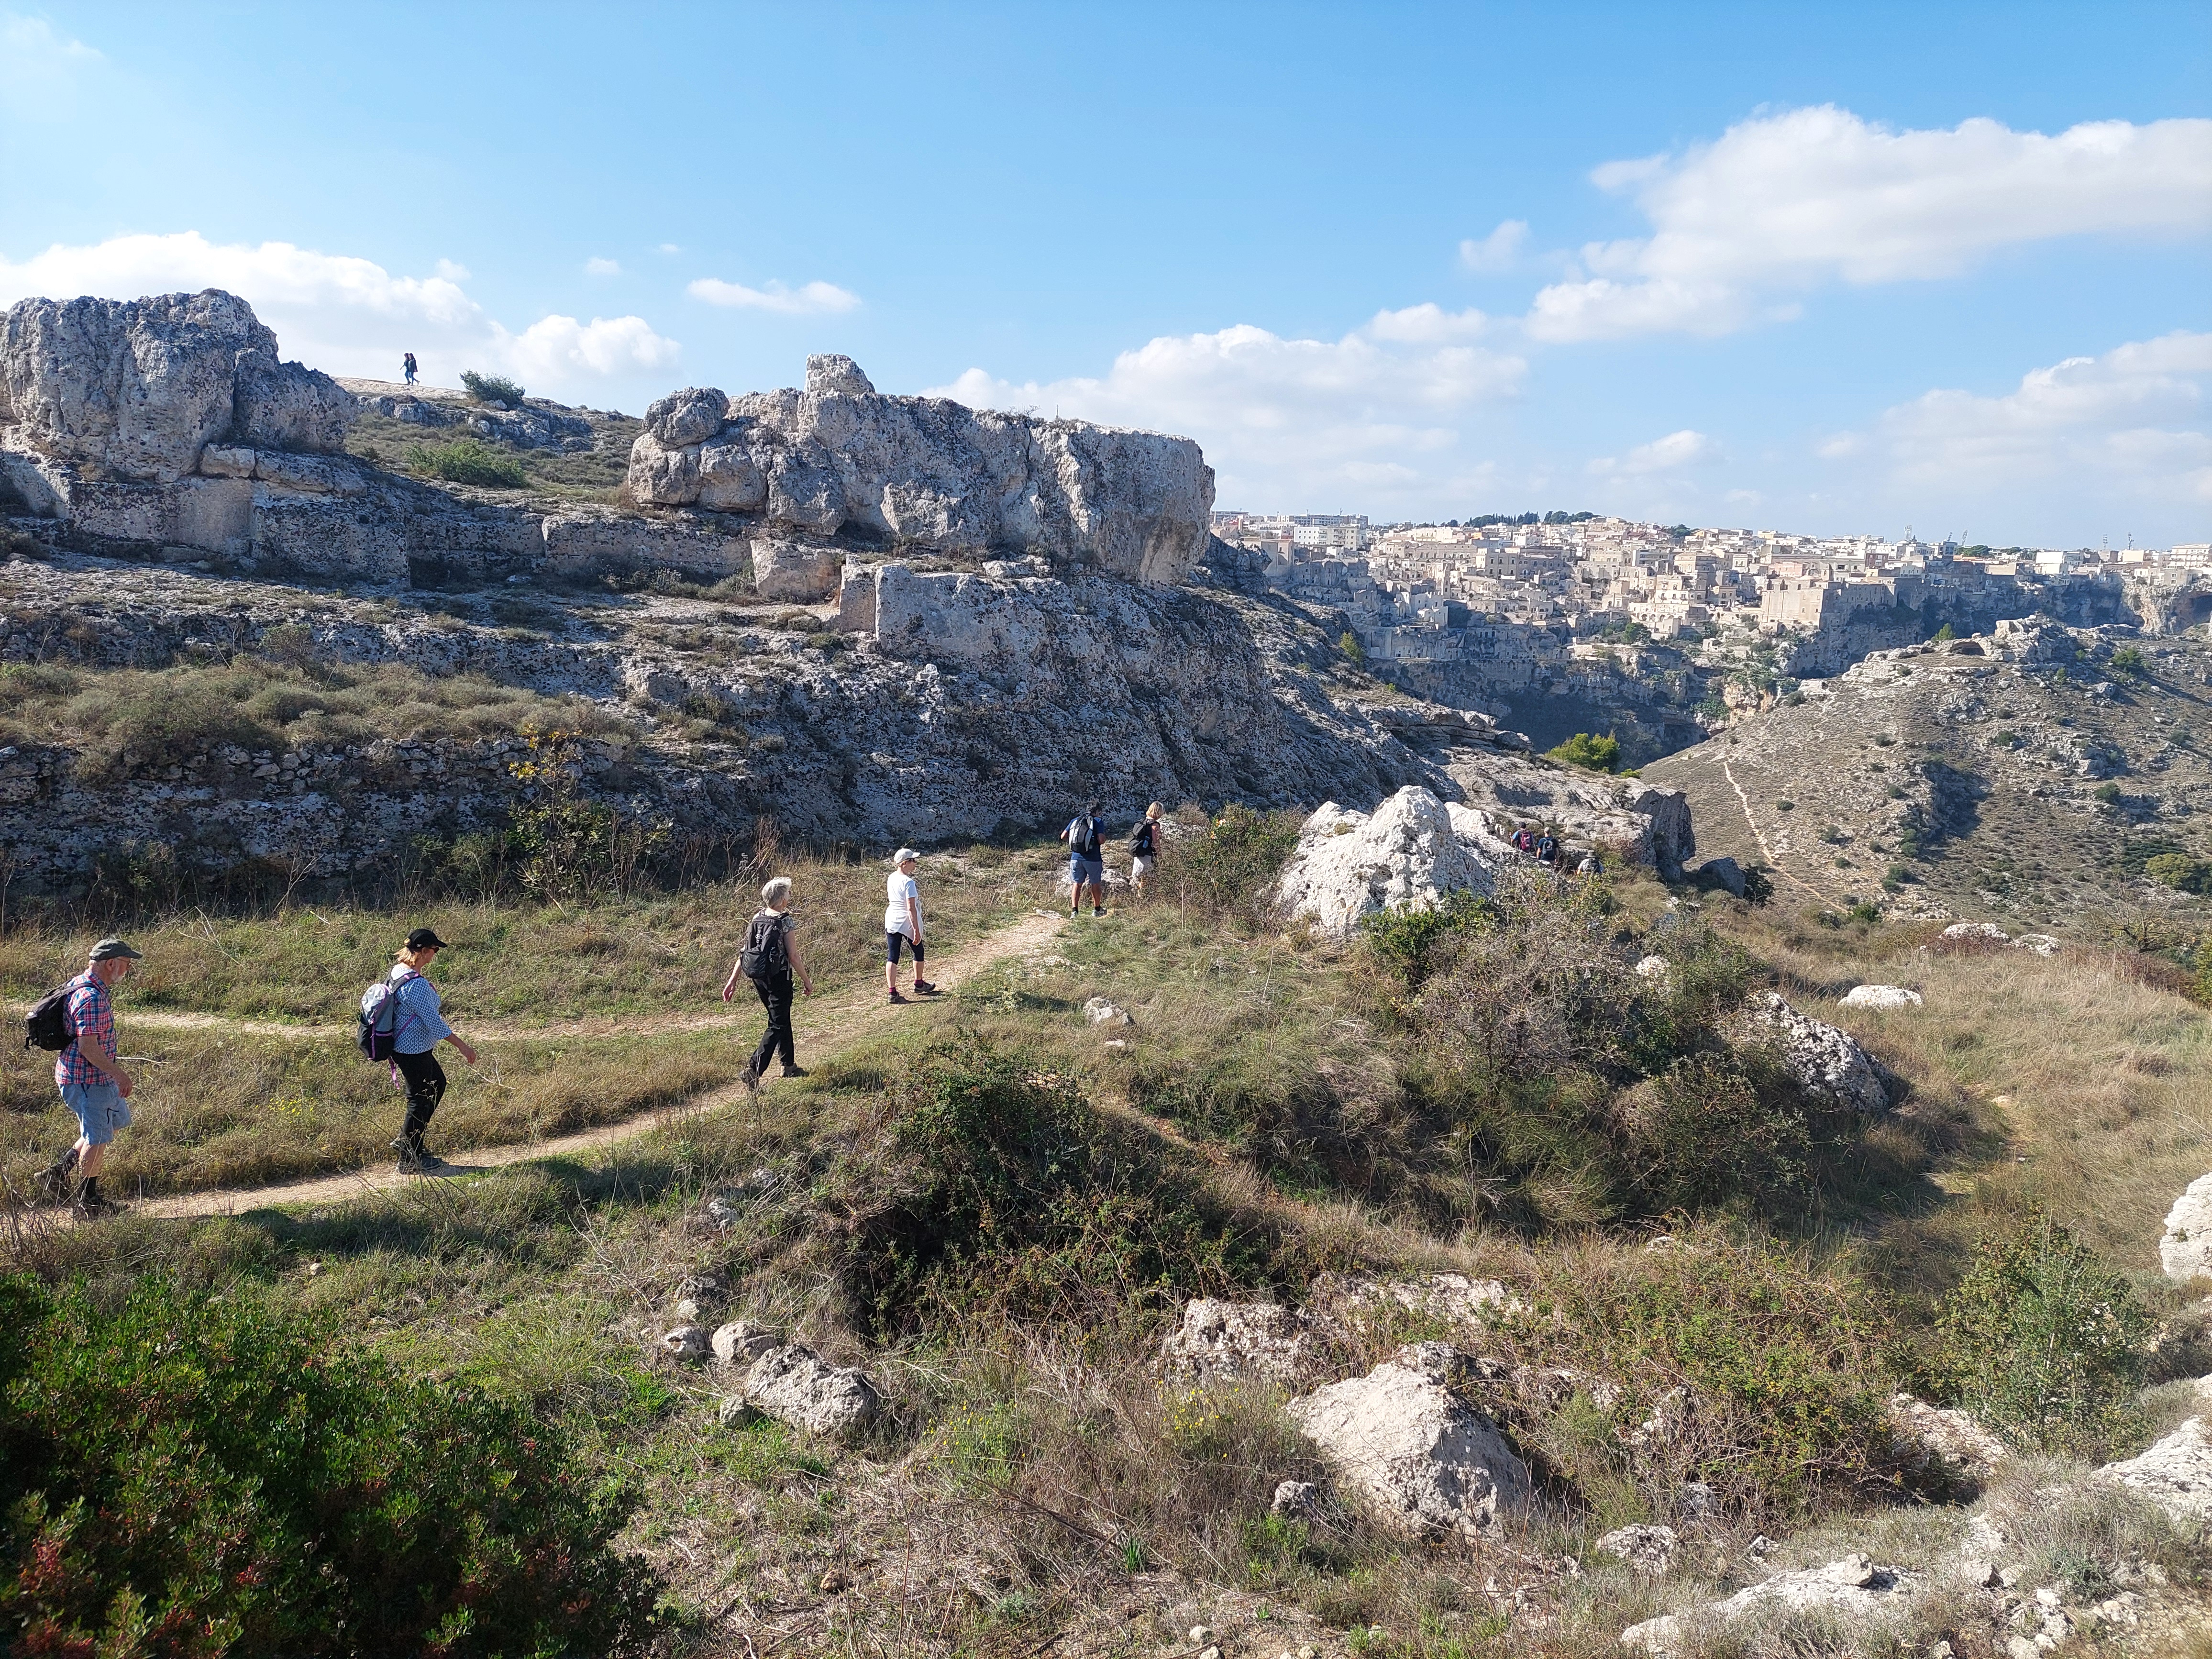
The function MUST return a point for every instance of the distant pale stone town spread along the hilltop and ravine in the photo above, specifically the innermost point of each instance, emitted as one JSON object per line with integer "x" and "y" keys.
{"x": 1563, "y": 618}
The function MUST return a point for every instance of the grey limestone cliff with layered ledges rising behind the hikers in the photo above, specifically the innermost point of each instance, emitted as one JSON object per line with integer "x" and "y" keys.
{"x": 855, "y": 616}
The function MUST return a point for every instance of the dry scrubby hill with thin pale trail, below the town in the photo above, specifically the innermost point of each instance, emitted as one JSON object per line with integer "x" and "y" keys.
{"x": 2027, "y": 775}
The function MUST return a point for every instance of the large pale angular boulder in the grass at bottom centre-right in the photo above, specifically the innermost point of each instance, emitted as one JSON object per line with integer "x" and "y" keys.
{"x": 1421, "y": 1454}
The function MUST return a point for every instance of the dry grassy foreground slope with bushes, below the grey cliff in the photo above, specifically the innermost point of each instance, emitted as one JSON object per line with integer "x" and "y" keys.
{"x": 997, "y": 1207}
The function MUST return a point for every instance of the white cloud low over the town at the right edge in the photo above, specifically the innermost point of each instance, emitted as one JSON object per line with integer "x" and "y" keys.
{"x": 2125, "y": 426}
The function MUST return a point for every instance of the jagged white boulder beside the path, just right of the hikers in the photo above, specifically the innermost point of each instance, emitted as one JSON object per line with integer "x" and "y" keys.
{"x": 1353, "y": 864}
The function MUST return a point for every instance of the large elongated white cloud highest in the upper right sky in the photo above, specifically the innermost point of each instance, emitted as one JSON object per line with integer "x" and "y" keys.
{"x": 1782, "y": 205}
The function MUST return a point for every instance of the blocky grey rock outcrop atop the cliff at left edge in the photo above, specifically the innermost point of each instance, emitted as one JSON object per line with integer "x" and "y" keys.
{"x": 138, "y": 388}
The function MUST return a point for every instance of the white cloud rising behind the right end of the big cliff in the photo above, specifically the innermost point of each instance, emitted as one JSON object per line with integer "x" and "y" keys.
{"x": 1364, "y": 421}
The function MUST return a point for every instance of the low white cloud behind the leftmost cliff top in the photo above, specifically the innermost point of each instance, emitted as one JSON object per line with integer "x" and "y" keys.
{"x": 351, "y": 315}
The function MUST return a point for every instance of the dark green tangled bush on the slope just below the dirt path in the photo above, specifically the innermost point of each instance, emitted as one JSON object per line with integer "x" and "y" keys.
{"x": 1023, "y": 1200}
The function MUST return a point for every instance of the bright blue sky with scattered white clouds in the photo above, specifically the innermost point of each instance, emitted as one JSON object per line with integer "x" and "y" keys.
{"x": 1833, "y": 269}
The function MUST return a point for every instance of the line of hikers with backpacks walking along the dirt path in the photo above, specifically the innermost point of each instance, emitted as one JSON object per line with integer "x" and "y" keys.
{"x": 401, "y": 1023}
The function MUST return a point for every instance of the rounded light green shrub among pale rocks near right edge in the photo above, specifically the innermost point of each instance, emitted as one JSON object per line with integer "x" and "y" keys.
{"x": 2045, "y": 1342}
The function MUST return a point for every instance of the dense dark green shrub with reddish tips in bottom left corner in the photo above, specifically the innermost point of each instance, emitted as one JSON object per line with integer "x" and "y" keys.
{"x": 202, "y": 1477}
